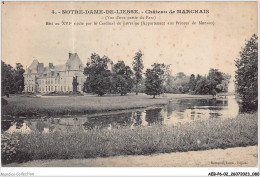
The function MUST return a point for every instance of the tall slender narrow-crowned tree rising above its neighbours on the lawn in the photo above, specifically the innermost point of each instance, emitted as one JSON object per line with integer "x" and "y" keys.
{"x": 138, "y": 68}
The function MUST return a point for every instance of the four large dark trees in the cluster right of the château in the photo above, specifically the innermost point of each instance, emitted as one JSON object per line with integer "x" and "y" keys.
{"x": 121, "y": 79}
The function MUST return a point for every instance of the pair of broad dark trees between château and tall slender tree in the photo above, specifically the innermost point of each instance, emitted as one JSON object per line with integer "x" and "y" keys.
{"x": 102, "y": 79}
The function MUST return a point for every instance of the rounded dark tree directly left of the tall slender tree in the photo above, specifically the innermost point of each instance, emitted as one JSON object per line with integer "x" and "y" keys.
{"x": 122, "y": 78}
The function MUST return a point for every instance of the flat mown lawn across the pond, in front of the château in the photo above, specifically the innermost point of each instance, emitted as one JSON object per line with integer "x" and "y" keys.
{"x": 53, "y": 106}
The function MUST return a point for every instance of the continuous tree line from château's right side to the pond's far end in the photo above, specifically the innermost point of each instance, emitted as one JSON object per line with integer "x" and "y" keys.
{"x": 122, "y": 79}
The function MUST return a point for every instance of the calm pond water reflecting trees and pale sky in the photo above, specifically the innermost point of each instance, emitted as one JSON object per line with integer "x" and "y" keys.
{"x": 175, "y": 112}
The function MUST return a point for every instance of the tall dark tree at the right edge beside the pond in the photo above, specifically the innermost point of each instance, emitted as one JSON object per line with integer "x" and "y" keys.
{"x": 247, "y": 73}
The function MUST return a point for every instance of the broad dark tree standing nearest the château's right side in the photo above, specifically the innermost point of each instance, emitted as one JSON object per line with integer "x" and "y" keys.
{"x": 99, "y": 76}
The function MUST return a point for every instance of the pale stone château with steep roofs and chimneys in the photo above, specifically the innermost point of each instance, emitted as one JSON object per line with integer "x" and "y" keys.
{"x": 54, "y": 78}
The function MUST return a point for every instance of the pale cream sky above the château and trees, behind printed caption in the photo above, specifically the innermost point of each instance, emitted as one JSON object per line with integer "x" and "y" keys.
{"x": 188, "y": 48}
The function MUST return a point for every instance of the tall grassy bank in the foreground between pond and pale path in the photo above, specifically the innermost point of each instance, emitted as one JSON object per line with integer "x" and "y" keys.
{"x": 194, "y": 136}
